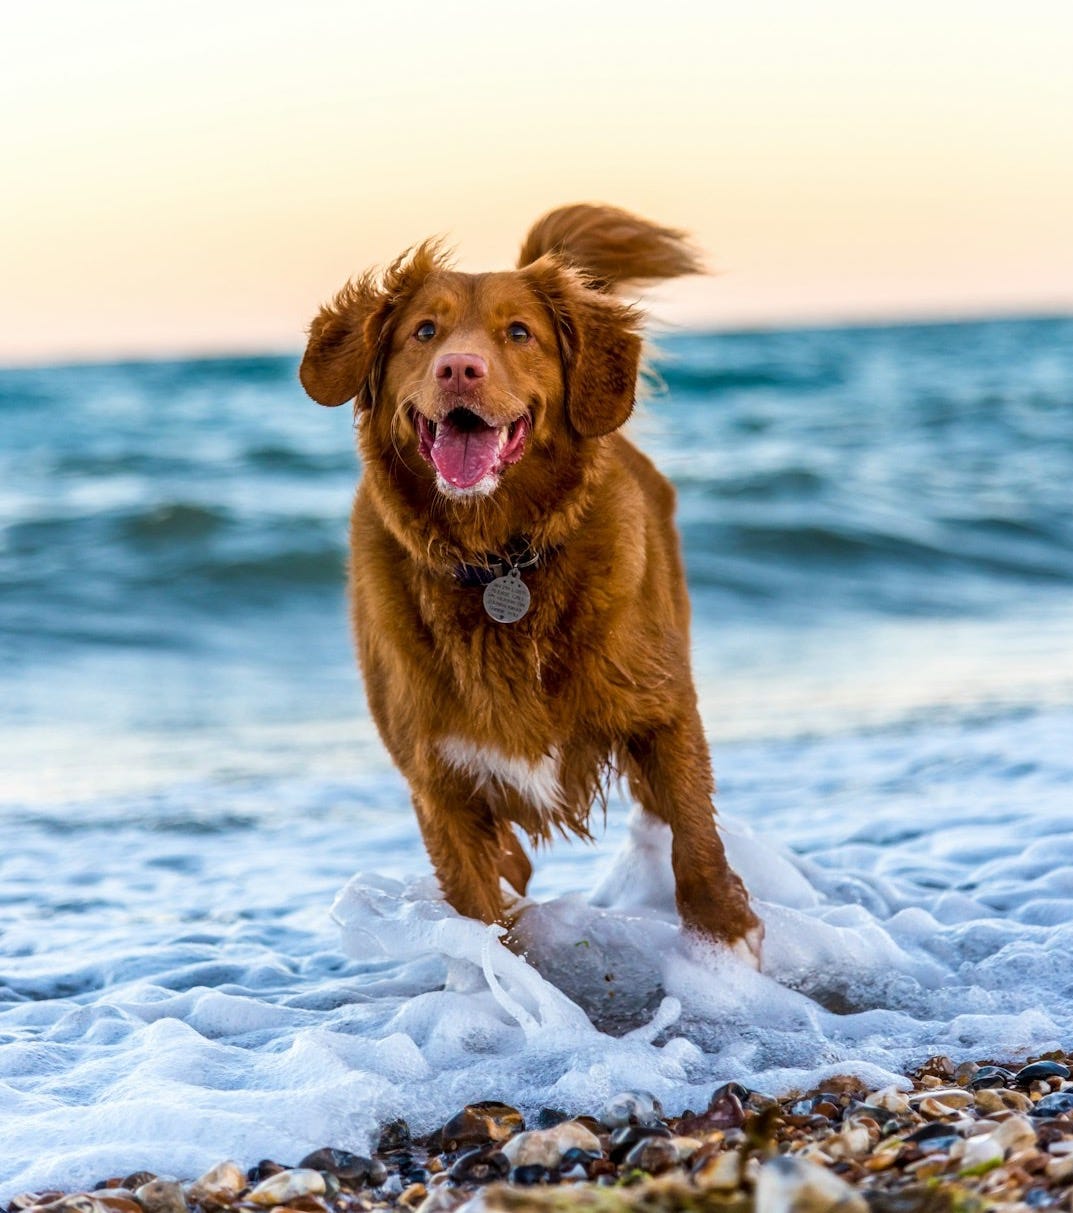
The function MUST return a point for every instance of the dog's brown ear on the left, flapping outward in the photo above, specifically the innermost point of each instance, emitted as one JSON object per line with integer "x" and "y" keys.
{"x": 345, "y": 340}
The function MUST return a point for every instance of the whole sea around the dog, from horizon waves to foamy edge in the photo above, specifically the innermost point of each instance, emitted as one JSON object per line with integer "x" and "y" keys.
{"x": 220, "y": 931}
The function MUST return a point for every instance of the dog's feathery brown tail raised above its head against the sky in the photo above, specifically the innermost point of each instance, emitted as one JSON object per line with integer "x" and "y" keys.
{"x": 610, "y": 247}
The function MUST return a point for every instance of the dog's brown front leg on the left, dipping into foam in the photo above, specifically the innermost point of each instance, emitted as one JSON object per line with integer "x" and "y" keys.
{"x": 465, "y": 844}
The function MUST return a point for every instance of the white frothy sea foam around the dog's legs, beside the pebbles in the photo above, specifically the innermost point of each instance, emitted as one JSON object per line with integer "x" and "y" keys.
{"x": 180, "y": 994}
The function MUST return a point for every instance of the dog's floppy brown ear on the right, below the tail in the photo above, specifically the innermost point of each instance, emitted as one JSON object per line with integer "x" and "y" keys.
{"x": 600, "y": 344}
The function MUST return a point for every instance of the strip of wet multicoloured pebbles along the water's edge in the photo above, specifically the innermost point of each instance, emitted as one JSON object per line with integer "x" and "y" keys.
{"x": 966, "y": 1137}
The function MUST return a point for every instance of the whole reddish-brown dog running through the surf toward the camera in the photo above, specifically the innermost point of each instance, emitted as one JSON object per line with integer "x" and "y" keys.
{"x": 517, "y": 585}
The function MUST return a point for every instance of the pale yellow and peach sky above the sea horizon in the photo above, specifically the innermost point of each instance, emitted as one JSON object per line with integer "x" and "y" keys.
{"x": 199, "y": 178}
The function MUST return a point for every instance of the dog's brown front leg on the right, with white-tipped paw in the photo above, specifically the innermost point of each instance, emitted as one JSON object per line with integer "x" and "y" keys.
{"x": 671, "y": 776}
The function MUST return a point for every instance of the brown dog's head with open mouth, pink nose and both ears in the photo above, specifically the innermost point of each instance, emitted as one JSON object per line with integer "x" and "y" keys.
{"x": 467, "y": 377}
